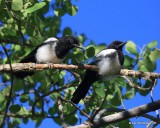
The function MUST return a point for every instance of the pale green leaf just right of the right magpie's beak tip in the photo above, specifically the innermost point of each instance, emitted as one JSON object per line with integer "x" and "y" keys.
{"x": 131, "y": 48}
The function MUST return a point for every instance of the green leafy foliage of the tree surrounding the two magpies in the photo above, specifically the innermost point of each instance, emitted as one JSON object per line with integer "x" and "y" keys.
{"x": 24, "y": 23}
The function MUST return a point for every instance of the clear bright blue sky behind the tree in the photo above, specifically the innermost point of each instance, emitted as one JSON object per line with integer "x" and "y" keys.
{"x": 109, "y": 20}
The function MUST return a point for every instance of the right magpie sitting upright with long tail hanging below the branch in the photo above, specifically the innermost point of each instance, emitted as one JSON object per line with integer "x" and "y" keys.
{"x": 109, "y": 62}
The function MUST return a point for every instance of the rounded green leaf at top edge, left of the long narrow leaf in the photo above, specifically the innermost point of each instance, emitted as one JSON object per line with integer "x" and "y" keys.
{"x": 17, "y": 5}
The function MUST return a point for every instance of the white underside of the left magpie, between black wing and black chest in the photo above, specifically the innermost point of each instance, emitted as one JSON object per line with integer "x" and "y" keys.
{"x": 46, "y": 54}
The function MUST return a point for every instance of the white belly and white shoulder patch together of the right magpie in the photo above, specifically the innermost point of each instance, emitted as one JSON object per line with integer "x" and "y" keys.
{"x": 109, "y": 66}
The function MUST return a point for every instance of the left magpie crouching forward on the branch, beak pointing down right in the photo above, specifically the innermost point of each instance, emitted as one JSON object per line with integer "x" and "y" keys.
{"x": 53, "y": 50}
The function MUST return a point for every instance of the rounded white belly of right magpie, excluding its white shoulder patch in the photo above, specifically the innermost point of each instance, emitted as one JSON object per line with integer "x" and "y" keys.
{"x": 109, "y": 68}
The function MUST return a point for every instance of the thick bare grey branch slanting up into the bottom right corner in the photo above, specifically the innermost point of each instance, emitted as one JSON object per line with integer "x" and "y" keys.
{"x": 137, "y": 111}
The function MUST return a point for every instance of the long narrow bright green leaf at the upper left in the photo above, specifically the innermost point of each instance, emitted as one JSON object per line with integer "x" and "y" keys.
{"x": 35, "y": 7}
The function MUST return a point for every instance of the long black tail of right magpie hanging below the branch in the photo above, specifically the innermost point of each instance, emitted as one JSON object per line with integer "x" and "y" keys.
{"x": 89, "y": 78}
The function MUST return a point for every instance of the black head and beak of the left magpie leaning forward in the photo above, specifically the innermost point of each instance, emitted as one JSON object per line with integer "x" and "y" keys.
{"x": 72, "y": 42}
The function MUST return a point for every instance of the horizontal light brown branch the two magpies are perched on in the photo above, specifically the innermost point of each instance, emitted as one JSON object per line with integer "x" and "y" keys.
{"x": 33, "y": 67}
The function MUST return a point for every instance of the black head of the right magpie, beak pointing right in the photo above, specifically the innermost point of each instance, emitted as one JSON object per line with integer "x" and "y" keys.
{"x": 118, "y": 45}
